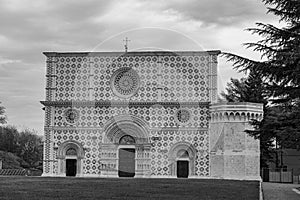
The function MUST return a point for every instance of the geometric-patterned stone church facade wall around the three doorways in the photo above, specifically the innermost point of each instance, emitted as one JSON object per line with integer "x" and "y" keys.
{"x": 169, "y": 91}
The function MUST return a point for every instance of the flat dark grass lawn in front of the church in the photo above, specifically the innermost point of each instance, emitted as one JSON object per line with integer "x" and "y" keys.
{"x": 99, "y": 188}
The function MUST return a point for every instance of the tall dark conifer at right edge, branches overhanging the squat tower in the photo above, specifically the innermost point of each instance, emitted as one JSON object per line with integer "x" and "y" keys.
{"x": 280, "y": 71}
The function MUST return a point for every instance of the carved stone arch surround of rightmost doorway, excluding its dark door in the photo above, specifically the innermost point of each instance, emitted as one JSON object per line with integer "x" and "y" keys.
{"x": 182, "y": 151}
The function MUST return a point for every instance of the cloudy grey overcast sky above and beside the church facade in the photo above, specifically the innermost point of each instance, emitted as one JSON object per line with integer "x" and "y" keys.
{"x": 29, "y": 27}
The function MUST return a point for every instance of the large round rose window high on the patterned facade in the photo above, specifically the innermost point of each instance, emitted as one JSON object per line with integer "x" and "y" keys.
{"x": 125, "y": 82}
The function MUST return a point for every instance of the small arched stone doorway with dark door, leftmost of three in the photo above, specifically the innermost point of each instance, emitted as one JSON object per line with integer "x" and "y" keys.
{"x": 70, "y": 155}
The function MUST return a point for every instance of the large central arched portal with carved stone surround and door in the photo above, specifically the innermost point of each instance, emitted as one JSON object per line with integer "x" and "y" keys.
{"x": 127, "y": 137}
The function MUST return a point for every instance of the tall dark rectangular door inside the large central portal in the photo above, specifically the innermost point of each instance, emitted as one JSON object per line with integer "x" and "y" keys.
{"x": 126, "y": 162}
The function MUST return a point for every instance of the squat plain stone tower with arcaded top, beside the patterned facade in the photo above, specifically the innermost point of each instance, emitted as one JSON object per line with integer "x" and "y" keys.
{"x": 233, "y": 153}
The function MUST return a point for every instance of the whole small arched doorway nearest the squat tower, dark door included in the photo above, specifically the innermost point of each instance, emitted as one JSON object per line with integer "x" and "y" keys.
{"x": 181, "y": 159}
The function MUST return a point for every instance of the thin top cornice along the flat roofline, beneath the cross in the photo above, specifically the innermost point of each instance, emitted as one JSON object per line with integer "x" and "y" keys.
{"x": 115, "y": 53}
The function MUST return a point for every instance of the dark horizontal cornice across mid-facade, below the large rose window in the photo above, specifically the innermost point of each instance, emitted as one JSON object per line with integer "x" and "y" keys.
{"x": 121, "y": 104}
